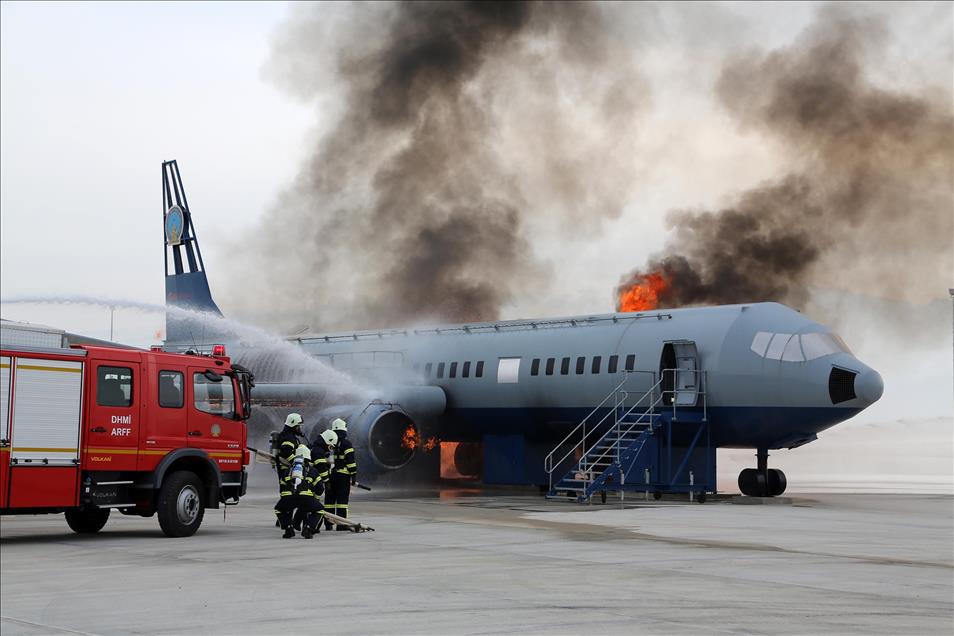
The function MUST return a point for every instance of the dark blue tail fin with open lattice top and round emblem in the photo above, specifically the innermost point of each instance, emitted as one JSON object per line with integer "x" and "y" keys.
{"x": 186, "y": 283}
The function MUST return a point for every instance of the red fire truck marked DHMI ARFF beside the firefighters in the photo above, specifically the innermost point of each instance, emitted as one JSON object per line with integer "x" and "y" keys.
{"x": 86, "y": 429}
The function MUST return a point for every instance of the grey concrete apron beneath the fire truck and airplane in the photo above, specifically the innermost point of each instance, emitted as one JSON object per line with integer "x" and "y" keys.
{"x": 479, "y": 562}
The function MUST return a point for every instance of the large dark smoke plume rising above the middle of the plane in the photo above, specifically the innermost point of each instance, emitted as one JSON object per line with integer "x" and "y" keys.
{"x": 461, "y": 123}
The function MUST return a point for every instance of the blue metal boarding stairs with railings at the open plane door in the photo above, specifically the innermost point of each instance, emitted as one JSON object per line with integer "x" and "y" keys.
{"x": 652, "y": 440}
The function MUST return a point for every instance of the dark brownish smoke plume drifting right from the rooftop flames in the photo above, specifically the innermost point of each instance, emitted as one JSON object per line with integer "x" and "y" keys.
{"x": 867, "y": 199}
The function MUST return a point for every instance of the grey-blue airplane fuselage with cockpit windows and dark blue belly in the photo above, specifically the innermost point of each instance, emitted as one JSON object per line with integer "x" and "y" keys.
{"x": 773, "y": 378}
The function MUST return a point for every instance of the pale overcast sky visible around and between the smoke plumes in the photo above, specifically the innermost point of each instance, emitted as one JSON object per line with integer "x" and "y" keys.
{"x": 93, "y": 96}
